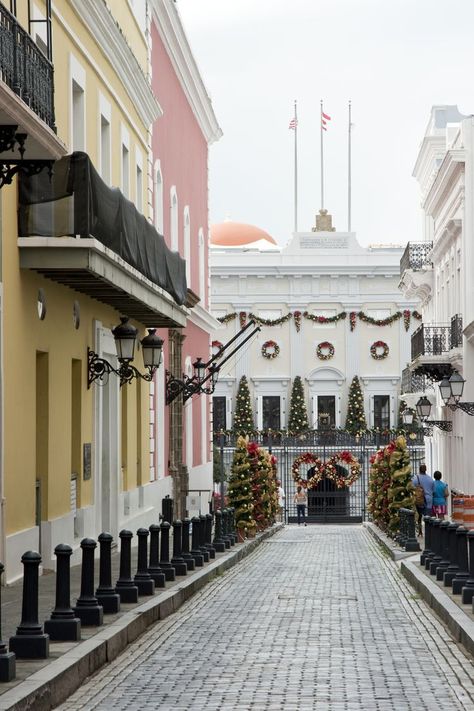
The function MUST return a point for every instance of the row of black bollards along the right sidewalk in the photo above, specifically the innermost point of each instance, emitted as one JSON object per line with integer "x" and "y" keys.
{"x": 449, "y": 555}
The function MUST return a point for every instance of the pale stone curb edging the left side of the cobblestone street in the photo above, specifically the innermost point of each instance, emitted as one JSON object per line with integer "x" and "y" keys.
{"x": 54, "y": 683}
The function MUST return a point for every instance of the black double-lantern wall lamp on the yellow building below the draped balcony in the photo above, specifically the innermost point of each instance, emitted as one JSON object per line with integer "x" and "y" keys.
{"x": 125, "y": 336}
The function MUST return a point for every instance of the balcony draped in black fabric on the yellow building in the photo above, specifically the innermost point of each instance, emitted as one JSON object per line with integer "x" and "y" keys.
{"x": 78, "y": 232}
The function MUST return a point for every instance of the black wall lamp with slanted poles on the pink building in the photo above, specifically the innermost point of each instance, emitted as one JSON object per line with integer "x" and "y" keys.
{"x": 201, "y": 382}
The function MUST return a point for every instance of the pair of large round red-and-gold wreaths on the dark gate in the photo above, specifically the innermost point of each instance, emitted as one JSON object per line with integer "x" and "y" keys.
{"x": 327, "y": 470}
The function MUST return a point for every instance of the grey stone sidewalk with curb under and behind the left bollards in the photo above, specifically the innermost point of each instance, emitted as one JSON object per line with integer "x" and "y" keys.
{"x": 42, "y": 684}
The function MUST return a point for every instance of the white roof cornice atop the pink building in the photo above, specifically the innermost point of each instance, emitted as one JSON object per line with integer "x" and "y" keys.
{"x": 170, "y": 28}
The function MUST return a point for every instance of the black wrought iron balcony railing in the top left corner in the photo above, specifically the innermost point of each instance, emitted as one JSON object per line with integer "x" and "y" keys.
{"x": 25, "y": 69}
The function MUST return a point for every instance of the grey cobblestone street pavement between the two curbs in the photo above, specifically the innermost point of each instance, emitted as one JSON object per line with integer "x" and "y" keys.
{"x": 316, "y": 618}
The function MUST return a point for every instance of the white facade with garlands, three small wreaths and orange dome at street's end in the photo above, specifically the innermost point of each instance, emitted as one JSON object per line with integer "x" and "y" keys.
{"x": 317, "y": 299}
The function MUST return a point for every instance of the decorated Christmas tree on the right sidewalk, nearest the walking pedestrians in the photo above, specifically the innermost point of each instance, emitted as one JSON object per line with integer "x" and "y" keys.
{"x": 401, "y": 490}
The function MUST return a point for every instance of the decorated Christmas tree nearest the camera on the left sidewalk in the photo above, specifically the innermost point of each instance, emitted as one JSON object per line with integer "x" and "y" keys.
{"x": 240, "y": 486}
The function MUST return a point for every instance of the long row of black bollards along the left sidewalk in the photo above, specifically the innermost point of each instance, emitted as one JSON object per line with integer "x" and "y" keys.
{"x": 154, "y": 568}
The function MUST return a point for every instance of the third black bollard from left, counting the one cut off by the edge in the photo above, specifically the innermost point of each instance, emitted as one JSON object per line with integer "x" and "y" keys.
{"x": 63, "y": 626}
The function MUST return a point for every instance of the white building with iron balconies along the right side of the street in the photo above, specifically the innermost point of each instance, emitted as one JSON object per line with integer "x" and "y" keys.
{"x": 438, "y": 271}
